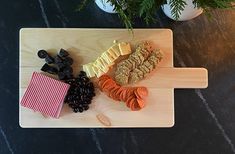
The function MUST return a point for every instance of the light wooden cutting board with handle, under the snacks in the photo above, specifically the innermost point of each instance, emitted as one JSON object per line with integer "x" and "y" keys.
{"x": 85, "y": 45}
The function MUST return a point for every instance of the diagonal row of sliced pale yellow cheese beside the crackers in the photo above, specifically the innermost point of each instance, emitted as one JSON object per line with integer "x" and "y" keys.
{"x": 101, "y": 65}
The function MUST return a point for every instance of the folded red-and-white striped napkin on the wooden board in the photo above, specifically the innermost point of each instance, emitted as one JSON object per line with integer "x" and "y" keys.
{"x": 45, "y": 95}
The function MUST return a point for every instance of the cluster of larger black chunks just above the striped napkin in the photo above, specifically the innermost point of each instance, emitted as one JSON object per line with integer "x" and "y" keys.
{"x": 60, "y": 64}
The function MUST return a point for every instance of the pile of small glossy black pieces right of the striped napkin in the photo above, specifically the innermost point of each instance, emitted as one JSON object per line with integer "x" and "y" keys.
{"x": 80, "y": 93}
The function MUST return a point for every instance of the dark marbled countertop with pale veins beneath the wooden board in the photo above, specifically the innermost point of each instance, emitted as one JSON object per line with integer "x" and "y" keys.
{"x": 204, "y": 119}
